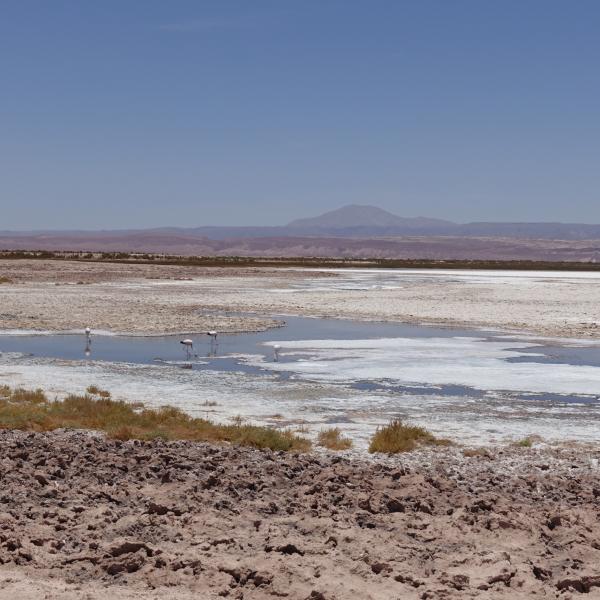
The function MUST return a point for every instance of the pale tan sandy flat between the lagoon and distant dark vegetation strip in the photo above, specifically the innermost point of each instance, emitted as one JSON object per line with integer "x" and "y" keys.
{"x": 149, "y": 299}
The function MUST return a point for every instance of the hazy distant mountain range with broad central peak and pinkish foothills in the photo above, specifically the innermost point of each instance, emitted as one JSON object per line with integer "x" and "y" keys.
{"x": 350, "y": 231}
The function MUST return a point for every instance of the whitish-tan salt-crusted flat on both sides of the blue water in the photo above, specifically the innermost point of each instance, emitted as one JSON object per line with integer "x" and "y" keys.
{"x": 466, "y": 387}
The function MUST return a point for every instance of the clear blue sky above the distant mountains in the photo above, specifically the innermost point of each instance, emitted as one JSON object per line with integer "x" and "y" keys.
{"x": 122, "y": 113}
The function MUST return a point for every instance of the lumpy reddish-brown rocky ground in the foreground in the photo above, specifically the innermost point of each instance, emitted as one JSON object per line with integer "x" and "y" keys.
{"x": 83, "y": 517}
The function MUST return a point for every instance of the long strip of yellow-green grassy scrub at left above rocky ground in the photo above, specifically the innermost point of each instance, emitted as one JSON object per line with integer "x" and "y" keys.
{"x": 34, "y": 411}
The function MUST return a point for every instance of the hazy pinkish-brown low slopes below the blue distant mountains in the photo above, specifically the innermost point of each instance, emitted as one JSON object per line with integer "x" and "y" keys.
{"x": 407, "y": 246}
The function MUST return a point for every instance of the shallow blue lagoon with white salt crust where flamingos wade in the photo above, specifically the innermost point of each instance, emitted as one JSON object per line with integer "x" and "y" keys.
{"x": 478, "y": 386}
